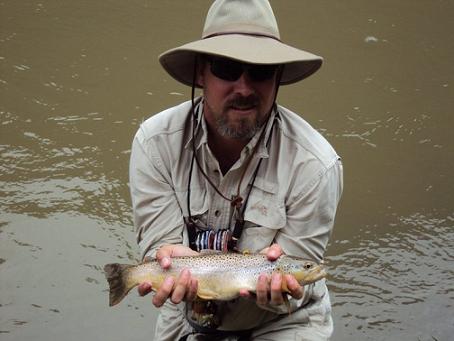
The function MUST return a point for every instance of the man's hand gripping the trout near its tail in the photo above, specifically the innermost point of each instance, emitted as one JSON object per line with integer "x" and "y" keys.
{"x": 183, "y": 288}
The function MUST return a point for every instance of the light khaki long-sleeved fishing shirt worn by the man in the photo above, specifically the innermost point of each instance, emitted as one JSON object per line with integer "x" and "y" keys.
{"x": 293, "y": 203}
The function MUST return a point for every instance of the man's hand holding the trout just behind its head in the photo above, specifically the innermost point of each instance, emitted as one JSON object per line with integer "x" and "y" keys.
{"x": 269, "y": 289}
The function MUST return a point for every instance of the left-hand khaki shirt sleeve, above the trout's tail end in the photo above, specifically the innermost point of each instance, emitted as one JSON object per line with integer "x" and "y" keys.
{"x": 157, "y": 215}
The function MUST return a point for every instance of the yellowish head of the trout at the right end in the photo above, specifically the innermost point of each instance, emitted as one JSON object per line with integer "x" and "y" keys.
{"x": 305, "y": 271}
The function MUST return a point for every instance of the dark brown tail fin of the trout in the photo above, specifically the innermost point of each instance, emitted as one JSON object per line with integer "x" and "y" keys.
{"x": 119, "y": 286}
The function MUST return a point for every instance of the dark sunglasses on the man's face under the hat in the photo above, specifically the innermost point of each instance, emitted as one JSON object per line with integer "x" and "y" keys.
{"x": 231, "y": 70}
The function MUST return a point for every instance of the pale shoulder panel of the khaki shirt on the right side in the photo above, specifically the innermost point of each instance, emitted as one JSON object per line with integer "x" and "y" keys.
{"x": 299, "y": 133}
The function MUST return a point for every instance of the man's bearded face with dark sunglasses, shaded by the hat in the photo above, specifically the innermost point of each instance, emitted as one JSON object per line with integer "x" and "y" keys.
{"x": 237, "y": 107}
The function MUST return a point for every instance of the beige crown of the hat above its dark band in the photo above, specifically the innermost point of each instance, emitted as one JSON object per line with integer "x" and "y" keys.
{"x": 251, "y": 17}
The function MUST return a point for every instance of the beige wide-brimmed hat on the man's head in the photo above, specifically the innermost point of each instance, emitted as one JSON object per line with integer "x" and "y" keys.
{"x": 243, "y": 30}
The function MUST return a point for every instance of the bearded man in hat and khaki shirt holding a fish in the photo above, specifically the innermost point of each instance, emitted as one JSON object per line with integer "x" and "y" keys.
{"x": 233, "y": 170}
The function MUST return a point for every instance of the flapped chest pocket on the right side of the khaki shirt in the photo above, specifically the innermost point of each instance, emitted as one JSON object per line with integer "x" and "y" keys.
{"x": 264, "y": 216}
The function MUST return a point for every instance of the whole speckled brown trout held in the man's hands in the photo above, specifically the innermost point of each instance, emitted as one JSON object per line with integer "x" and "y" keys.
{"x": 220, "y": 276}
